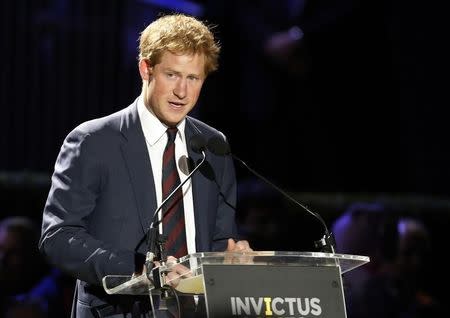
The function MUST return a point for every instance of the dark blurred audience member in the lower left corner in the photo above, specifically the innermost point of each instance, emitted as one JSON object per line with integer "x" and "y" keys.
{"x": 23, "y": 272}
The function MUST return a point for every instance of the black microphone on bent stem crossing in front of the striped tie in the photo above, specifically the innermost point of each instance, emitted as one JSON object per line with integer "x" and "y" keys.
{"x": 155, "y": 241}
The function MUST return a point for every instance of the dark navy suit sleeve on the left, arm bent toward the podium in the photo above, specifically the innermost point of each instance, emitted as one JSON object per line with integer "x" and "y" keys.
{"x": 65, "y": 239}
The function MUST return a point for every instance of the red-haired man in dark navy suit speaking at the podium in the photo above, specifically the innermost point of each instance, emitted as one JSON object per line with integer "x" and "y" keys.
{"x": 107, "y": 180}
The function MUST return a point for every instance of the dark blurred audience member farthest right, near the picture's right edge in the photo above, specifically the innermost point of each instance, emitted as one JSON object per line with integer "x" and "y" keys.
{"x": 404, "y": 289}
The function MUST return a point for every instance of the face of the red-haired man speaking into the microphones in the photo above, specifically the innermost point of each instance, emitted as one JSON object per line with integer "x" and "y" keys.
{"x": 173, "y": 85}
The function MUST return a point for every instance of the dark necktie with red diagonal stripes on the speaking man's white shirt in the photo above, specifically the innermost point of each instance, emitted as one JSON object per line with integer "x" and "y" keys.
{"x": 173, "y": 210}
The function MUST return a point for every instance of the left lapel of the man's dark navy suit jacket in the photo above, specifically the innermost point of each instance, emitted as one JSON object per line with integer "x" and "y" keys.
{"x": 136, "y": 156}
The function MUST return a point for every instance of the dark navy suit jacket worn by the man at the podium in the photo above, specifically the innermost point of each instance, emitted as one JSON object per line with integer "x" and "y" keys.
{"x": 102, "y": 199}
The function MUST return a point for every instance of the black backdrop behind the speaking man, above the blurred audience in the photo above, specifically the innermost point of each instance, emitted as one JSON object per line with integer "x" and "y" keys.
{"x": 364, "y": 117}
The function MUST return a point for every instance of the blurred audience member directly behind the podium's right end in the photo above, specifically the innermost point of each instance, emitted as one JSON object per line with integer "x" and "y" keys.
{"x": 367, "y": 229}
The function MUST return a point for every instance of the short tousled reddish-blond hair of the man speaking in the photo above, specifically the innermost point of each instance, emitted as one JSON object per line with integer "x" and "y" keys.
{"x": 179, "y": 33}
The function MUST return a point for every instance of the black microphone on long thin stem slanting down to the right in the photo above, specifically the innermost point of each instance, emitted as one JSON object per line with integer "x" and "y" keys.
{"x": 220, "y": 147}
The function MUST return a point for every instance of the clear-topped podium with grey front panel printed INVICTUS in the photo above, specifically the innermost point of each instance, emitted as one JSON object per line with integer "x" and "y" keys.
{"x": 250, "y": 284}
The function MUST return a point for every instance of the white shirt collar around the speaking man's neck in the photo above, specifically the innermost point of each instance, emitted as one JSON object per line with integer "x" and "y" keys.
{"x": 152, "y": 127}
